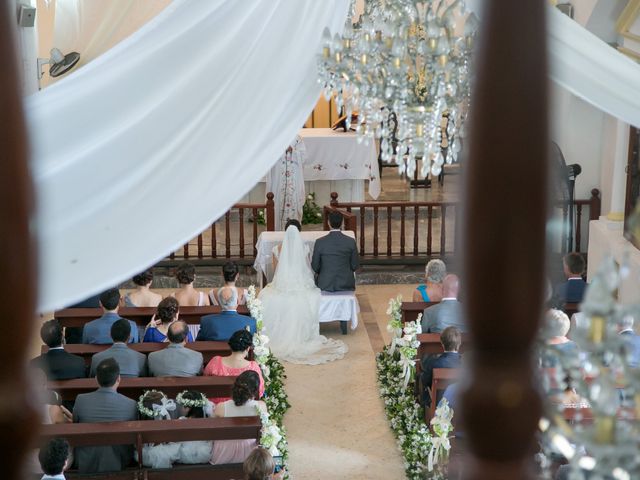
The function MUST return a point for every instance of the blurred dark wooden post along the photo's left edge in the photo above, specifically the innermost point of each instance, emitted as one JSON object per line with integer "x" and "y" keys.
{"x": 18, "y": 419}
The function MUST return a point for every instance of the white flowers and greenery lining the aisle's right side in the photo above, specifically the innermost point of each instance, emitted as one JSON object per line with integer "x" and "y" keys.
{"x": 396, "y": 377}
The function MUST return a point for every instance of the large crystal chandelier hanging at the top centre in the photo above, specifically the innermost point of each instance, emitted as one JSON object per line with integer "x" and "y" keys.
{"x": 405, "y": 69}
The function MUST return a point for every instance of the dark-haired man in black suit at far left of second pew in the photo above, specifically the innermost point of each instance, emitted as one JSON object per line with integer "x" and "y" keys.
{"x": 57, "y": 363}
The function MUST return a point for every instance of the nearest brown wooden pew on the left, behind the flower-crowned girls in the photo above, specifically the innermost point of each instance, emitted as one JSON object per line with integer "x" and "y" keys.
{"x": 138, "y": 433}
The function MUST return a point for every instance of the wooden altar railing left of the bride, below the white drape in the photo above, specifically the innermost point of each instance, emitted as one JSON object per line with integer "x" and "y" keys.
{"x": 230, "y": 229}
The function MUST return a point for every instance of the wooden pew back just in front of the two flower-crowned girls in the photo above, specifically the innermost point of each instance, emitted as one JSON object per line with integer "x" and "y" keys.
{"x": 134, "y": 387}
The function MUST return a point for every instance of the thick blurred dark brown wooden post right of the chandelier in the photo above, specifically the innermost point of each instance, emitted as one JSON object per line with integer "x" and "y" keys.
{"x": 504, "y": 238}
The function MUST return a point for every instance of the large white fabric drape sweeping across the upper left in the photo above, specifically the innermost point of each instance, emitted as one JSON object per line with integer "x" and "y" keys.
{"x": 139, "y": 150}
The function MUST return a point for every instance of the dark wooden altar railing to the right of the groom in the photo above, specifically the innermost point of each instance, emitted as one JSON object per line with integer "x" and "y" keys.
{"x": 407, "y": 232}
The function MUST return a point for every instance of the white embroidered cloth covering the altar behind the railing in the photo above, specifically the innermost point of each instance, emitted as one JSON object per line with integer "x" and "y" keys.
{"x": 337, "y": 155}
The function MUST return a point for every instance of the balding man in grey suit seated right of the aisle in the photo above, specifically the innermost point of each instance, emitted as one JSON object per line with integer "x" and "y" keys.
{"x": 447, "y": 313}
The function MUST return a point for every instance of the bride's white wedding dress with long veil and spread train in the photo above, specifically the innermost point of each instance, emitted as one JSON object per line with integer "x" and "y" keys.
{"x": 290, "y": 309}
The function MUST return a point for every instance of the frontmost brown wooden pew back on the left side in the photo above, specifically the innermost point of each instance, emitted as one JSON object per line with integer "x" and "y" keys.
{"x": 77, "y": 317}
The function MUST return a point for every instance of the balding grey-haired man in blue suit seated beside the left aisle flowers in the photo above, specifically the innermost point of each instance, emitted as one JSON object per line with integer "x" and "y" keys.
{"x": 220, "y": 327}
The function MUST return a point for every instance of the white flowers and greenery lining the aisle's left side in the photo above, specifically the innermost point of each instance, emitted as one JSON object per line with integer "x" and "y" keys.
{"x": 273, "y": 433}
